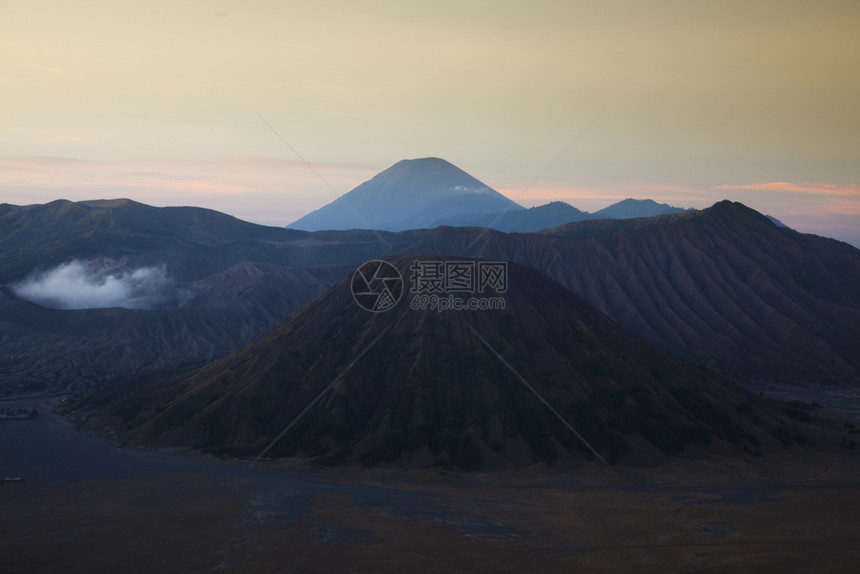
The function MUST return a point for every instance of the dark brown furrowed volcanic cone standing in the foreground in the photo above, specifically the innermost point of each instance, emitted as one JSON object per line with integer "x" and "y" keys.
{"x": 418, "y": 387}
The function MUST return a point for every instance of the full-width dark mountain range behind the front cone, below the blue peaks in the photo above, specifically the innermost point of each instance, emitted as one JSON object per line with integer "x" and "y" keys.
{"x": 723, "y": 287}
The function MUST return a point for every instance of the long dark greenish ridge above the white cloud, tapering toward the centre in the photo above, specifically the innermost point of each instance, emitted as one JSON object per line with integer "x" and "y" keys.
{"x": 192, "y": 242}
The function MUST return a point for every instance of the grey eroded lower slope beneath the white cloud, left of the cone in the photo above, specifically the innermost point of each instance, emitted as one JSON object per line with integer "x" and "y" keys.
{"x": 76, "y": 350}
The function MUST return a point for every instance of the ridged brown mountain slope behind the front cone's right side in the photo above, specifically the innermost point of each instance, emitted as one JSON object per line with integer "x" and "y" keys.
{"x": 723, "y": 286}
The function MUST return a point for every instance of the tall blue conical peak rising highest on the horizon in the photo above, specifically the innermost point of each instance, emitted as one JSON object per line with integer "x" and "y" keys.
{"x": 411, "y": 194}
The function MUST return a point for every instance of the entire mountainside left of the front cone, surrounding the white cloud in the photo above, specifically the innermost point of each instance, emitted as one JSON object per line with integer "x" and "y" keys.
{"x": 226, "y": 282}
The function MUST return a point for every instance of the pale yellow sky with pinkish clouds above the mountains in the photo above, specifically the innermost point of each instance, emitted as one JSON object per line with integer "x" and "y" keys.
{"x": 267, "y": 110}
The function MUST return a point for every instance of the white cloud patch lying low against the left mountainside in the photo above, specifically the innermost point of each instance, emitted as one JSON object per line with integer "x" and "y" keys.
{"x": 100, "y": 283}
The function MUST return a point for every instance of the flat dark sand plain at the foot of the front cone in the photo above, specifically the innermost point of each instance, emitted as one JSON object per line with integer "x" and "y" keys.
{"x": 87, "y": 505}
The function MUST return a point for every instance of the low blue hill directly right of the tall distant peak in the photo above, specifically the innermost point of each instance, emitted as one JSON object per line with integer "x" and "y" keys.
{"x": 523, "y": 221}
